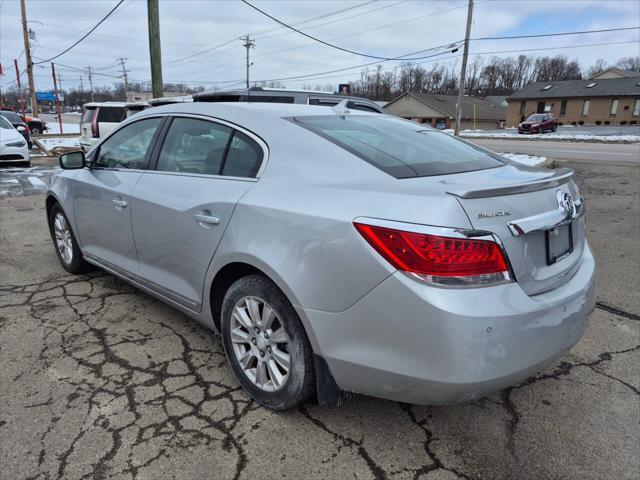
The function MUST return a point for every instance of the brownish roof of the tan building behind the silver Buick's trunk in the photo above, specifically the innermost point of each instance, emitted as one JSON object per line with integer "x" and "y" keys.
{"x": 485, "y": 109}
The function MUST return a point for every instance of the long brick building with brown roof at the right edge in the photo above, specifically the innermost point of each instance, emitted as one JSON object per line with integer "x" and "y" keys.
{"x": 610, "y": 97}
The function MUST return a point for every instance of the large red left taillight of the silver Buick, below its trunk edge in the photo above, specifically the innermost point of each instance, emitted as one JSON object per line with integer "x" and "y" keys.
{"x": 438, "y": 259}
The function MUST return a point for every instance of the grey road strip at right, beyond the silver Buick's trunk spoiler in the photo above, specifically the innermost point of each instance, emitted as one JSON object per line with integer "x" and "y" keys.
{"x": 598, "y": 153}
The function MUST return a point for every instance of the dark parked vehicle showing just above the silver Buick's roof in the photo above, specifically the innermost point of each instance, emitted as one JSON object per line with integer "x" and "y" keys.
{"x": 274, "y": 95}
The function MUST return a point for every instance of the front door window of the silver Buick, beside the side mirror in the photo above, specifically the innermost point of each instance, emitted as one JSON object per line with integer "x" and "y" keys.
{"x": 127, "y": 148}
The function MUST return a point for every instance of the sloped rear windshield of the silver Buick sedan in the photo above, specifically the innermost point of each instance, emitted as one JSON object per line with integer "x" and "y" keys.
{"x": 399, "y": 147}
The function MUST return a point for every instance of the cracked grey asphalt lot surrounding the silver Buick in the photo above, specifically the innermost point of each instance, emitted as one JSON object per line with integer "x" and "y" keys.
{"x": 98, "y": 380}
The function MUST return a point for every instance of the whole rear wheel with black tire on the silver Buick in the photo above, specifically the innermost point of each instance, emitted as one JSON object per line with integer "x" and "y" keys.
{"x": 266, "y": 344}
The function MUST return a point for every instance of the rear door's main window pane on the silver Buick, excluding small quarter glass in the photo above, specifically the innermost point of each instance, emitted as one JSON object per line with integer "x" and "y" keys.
{"x": 194, "y": 146}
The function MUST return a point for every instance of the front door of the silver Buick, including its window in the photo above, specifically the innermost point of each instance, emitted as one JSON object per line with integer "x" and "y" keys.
{"x": 102, "y": 195}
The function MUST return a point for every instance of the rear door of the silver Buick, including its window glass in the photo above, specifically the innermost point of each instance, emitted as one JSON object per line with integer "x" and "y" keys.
{"x": 181, "y": 205}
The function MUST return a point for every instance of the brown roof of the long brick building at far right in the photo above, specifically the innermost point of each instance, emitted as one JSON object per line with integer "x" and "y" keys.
{"x": 610, "y": 87}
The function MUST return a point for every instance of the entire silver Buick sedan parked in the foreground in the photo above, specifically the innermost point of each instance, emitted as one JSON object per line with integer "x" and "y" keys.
{"x": 333, "y": 250}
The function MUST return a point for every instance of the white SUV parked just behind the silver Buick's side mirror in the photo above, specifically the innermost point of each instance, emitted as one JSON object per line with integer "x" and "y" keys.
{"x": 97, "y": 120}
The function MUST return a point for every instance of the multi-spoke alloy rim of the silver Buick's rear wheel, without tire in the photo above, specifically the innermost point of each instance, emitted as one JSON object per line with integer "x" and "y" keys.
{"x": 260, "y": 343}
